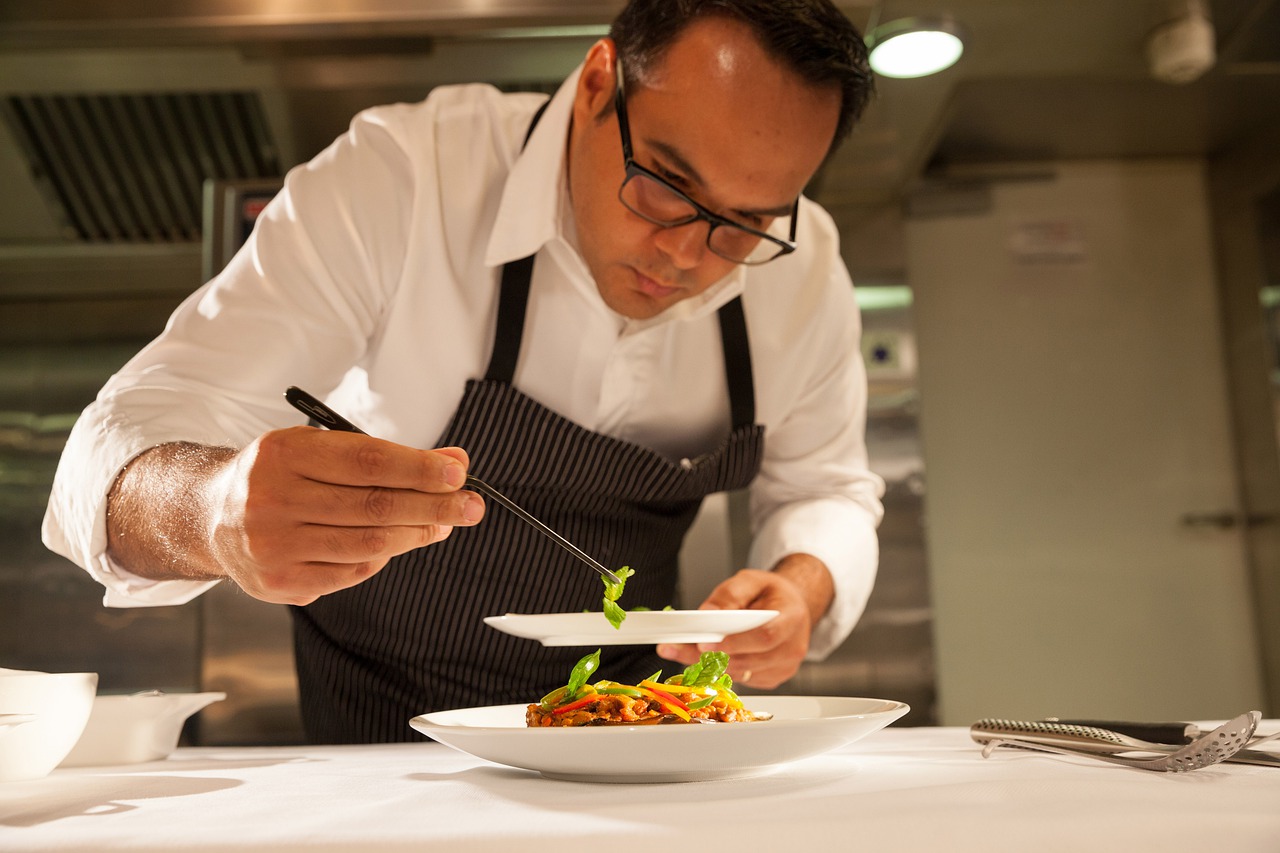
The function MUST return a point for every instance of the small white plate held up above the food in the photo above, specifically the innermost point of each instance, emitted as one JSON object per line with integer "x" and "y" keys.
{"x": 639, "y": 628}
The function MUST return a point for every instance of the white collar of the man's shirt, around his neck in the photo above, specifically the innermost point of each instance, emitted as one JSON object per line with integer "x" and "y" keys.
{"x": 536, "y": 209}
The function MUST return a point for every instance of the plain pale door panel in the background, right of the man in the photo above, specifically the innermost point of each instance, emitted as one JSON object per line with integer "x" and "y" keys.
{"x": 1073, "y": 410}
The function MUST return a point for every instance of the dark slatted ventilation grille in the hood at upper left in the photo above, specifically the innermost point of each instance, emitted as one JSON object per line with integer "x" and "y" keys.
{"x": 130, "y": 168}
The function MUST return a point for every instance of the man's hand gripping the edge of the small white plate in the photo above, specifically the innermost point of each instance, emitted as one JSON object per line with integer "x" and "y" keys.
{"x": 799, "y": 589}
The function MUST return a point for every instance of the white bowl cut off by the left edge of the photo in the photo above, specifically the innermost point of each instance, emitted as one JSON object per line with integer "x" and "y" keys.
{"x": 60, "y": 704}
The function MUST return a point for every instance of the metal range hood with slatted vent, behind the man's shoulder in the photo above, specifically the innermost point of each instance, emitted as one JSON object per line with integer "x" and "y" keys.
{"x": 112, "y": 116}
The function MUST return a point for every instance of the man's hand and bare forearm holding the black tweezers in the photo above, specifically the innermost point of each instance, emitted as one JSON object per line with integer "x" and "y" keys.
{"x": 298, "y": 514}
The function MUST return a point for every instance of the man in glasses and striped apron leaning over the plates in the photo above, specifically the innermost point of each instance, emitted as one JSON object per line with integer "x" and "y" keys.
{"x": 607, "y": 308}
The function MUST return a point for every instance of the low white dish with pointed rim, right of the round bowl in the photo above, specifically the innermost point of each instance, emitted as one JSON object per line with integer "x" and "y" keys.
{"x": 132, "y": 729}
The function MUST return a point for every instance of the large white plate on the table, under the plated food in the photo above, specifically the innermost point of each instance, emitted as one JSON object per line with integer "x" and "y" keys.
{"x": 802, "y": 727}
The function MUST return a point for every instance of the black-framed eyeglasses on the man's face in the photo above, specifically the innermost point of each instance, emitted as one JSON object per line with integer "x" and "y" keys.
{"x": 656, "y": 200}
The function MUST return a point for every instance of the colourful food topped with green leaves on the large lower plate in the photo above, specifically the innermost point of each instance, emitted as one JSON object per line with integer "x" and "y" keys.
{"x": 702, "y": 694}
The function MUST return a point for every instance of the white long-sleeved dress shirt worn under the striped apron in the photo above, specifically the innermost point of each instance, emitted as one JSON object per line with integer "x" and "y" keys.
{"x": 372, "y": 281}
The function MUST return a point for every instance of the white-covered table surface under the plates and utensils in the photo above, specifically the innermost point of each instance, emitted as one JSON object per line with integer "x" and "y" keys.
{"x": 898, "y": 790}
